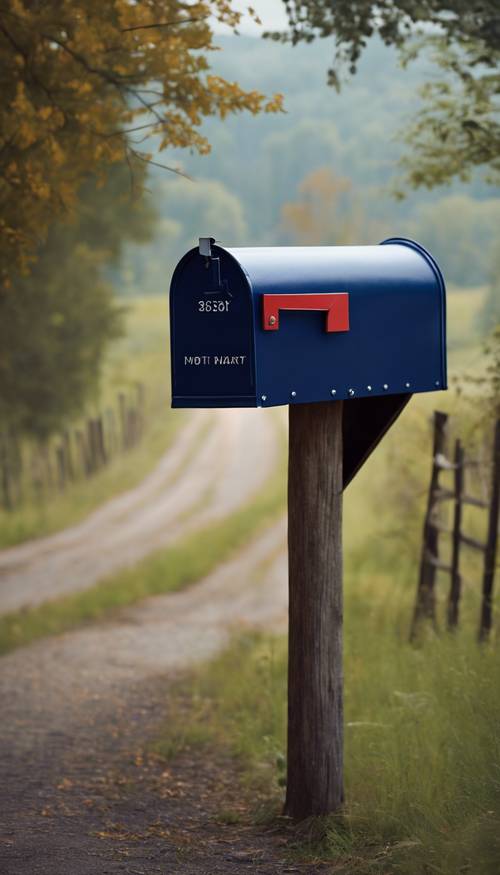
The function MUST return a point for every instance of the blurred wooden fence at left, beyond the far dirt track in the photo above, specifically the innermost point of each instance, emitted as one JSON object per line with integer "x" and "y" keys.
{"x": 76, "y": 453}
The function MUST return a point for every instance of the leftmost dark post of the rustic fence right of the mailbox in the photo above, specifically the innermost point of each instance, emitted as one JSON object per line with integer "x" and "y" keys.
{"x": 425, "y": 605}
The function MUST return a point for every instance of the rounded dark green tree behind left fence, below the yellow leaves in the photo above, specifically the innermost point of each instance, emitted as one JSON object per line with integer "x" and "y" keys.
{"x": 53, "y": 344}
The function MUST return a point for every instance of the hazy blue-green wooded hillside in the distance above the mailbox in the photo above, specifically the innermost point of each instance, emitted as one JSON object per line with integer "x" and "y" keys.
{"x": 258, "y": 163}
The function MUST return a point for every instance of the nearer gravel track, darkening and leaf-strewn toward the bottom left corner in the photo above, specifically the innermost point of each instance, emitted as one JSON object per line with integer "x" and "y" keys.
{"x": 75, "y": 708}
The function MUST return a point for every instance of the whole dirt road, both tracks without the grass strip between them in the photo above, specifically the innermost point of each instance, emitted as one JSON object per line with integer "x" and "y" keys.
{"x": 75, "y": 795}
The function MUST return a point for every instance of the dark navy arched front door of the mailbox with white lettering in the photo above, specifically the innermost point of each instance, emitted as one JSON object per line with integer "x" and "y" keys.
{"x": 212, "y": 333}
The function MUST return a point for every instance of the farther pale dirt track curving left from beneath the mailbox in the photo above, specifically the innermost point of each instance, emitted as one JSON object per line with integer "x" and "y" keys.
{"x": 218, "y": 461}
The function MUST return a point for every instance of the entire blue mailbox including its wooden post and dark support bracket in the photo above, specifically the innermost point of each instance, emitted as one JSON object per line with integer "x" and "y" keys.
{"x": 344, "y": 335}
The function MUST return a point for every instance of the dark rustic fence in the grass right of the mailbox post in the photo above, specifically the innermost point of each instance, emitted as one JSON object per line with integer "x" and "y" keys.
{"x": 458, "y": 493}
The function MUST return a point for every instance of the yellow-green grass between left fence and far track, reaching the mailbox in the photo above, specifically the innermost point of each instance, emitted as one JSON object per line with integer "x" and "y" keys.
{"x": 141, "y": 356}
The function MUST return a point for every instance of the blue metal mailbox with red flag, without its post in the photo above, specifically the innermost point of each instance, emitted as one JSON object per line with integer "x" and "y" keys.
{"x": 265, "y": 326}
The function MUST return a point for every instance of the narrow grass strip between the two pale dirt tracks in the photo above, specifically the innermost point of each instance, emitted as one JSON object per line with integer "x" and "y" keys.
{"x": 179, "y": 565}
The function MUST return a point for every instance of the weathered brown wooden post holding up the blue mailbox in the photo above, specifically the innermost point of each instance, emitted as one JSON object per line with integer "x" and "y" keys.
{"x": 315, "y": 707}
